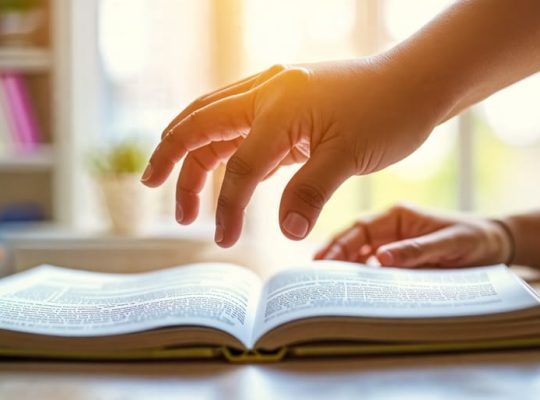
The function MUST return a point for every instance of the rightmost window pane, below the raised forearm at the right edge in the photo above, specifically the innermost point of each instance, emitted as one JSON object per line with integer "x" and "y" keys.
{"x": 507, "y": 131}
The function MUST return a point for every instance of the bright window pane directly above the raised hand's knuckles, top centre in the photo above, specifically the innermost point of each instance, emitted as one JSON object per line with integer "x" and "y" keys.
{"x": 298, "y": 31}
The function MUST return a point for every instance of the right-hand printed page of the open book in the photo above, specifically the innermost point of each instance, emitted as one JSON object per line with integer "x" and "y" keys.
{"x": 333, "y": 288}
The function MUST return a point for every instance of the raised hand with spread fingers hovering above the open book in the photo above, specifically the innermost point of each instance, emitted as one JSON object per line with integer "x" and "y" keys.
{"x": 341, "y": 118}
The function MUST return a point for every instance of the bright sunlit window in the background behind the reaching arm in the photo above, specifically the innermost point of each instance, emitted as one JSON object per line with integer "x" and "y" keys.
{"x": 158, "y": 56}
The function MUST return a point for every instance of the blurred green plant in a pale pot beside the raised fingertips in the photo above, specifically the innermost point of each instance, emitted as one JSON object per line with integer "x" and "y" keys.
{"x": 117, "y": 169}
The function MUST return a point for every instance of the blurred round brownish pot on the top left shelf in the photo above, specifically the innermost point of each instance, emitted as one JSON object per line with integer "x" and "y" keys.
{"x": 19, "y": 19}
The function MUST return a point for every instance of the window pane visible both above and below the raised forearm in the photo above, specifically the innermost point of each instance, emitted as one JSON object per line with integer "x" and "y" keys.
{"x": 428, "y": 177}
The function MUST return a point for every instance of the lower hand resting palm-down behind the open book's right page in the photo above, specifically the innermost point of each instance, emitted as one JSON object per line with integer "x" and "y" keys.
{"x": 405, "y": 236}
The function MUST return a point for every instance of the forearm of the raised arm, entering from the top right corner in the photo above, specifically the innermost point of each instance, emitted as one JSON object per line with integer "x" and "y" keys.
{"x": 470, "y": 51}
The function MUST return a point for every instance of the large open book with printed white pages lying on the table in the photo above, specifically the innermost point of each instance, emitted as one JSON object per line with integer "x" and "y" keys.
{"x": 223, "y": 310}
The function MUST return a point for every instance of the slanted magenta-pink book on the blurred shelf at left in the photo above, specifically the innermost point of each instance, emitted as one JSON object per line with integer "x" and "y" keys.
{"x": 24, "y": 120}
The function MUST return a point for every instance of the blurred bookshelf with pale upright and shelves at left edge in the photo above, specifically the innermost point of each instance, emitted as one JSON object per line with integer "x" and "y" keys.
{"x": 48, "y": 176}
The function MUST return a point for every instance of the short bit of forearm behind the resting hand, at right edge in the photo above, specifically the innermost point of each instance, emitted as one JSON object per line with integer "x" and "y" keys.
{"x": 525, "y": 229}
